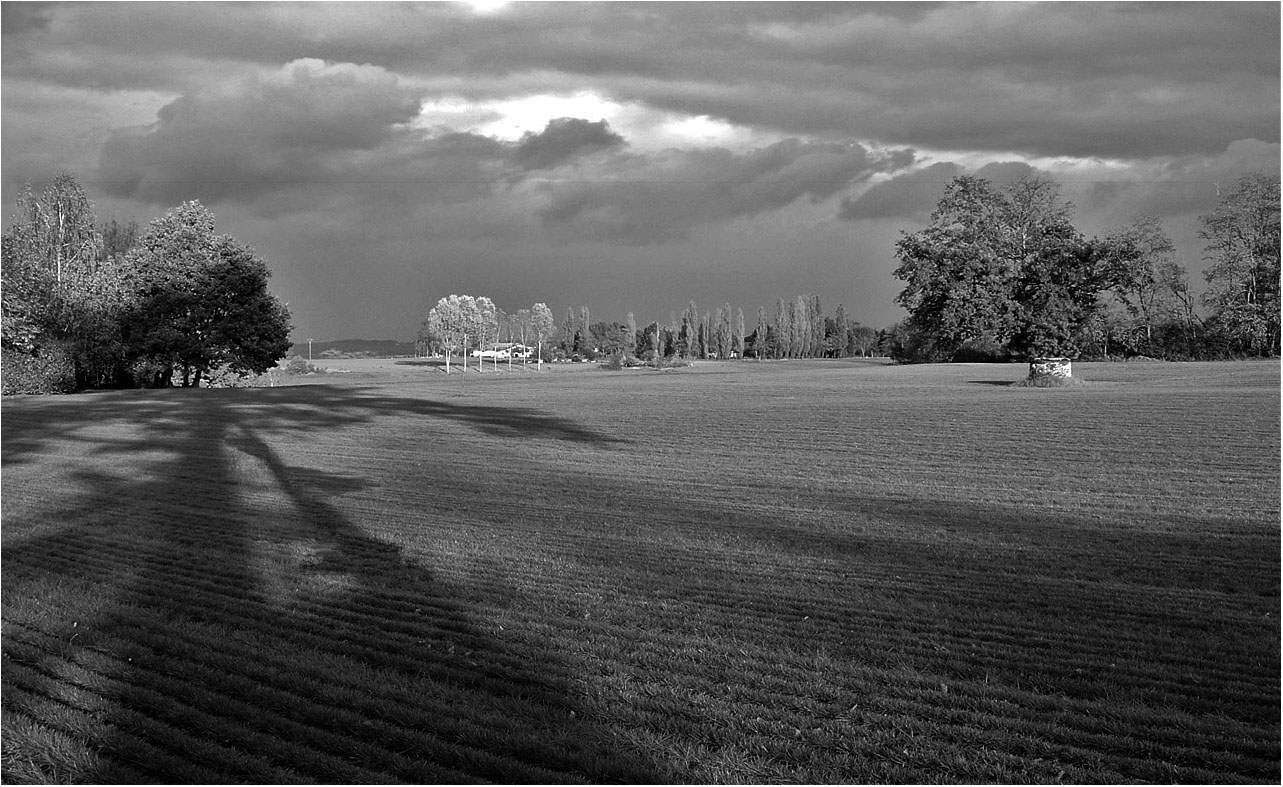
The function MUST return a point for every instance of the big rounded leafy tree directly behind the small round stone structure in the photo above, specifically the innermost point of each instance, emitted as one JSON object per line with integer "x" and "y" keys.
{"x": 1004, "y": 270}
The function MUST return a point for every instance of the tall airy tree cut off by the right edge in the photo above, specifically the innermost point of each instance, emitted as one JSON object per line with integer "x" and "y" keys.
{"x": 1244, "y": 281}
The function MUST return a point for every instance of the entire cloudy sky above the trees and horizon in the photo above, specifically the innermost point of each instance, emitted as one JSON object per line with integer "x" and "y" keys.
{"x": 627, "y": 157}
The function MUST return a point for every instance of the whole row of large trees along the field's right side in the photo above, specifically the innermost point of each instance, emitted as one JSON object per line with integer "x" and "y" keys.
{"x": 1003, "y": 274}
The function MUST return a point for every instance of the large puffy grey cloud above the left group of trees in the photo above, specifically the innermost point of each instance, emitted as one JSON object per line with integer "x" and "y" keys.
{"x": 307, "y": 125}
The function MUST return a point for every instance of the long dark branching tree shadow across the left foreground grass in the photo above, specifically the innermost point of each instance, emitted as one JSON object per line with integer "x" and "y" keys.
{"x": 269, "y": 637}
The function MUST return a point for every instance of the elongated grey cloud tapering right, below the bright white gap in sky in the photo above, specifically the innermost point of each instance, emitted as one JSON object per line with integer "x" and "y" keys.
{"x": 656, "y": 198}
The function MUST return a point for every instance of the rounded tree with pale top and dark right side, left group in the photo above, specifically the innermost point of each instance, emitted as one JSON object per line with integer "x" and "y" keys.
{"x": 201, "y": 301}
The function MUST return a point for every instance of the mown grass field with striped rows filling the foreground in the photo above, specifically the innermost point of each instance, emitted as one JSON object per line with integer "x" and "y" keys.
{"x": 797, "y": 572}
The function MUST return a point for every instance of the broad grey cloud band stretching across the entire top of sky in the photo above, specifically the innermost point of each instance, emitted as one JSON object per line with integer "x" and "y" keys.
{"x": 1107, "y": 80}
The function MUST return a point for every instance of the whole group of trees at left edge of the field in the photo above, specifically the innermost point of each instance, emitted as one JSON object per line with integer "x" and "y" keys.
{"x": 117, "y": 306}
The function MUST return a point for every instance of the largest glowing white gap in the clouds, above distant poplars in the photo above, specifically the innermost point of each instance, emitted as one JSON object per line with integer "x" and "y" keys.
{"x": 643, "y": 128}
